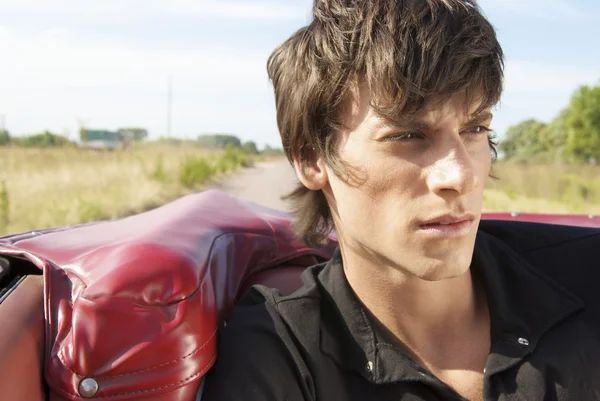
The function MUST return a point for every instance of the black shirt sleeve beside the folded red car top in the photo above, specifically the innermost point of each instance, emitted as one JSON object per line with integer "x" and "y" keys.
{"x": 254, "y": 359}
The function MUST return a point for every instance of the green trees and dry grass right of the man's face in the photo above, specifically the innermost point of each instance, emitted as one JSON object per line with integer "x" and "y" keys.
{"x": 551, "y": 167}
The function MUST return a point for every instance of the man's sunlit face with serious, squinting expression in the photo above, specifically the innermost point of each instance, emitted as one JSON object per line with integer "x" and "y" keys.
{"x": 419, "y": 202}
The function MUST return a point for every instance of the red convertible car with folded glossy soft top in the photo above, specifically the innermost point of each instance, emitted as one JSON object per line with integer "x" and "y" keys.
{"x": 129, "y": 309}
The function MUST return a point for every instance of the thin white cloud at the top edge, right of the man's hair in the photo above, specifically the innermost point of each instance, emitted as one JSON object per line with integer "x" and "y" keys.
{"x": 543, "y": 9}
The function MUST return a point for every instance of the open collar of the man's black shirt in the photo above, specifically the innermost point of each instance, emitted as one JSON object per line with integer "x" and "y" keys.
{"x": 524, "y": 304}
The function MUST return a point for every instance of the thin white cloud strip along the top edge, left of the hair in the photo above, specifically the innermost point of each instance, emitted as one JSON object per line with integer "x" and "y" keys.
{"x": 135, "y": 10}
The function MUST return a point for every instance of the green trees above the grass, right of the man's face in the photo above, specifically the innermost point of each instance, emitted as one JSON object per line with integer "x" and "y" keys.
{"x": 572, "y": 137}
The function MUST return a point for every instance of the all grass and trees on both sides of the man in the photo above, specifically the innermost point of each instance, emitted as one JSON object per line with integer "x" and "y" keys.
{"x": 46, "y": 180}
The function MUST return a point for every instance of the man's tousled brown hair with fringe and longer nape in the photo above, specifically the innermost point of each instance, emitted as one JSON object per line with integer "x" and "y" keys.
{"x": 412, "y": 54}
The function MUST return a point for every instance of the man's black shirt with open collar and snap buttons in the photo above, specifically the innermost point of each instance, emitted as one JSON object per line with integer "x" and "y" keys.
{"x": 543, "y": 288}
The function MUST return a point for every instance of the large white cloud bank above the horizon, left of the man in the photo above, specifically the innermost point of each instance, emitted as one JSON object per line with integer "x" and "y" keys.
{"x": 50, "y": 80}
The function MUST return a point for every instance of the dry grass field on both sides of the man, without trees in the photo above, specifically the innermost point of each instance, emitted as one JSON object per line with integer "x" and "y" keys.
{"x": 42, "y": 188}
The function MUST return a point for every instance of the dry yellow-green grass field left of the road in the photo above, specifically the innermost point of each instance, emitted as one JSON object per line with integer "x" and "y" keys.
{"x": 53, "y": 187}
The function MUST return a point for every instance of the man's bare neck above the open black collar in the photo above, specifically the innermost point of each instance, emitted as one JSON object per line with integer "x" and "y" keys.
{"x": 432, "y": 320}
